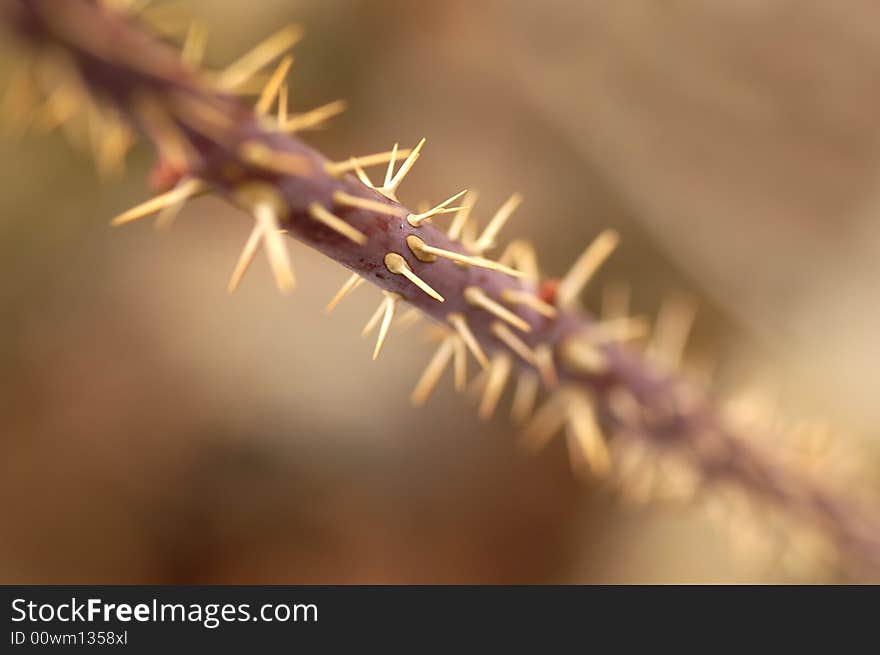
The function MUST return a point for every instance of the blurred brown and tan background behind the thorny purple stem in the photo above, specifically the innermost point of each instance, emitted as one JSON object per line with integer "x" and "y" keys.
{"x": 156, "y": 430}
